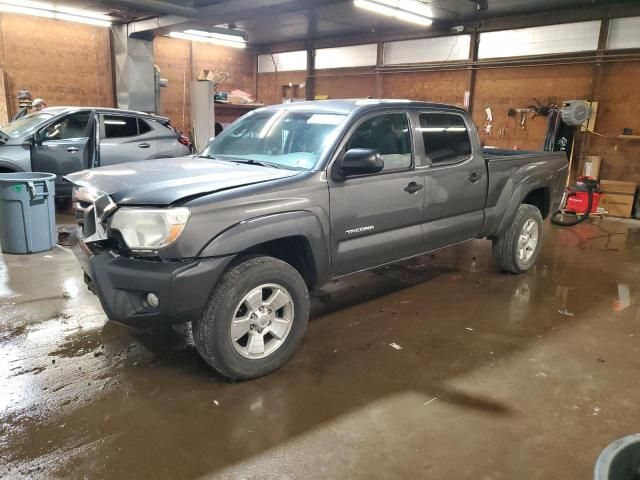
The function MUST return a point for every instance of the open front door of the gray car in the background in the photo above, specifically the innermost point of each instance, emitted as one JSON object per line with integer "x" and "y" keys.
{"x": 65, "y": 145}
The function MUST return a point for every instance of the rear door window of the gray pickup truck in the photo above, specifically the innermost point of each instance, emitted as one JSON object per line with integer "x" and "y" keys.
{"x": 445, "y": 137}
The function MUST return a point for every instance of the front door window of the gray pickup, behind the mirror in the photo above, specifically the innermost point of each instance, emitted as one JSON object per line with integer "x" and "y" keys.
{"x": 389, "y": 135}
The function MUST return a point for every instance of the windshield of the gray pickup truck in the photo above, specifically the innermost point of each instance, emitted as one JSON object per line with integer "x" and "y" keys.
{"x": 287, "y": 139}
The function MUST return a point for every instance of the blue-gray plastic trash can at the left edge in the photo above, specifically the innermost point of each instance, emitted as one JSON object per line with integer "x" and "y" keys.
{"x": 27, "y": 212}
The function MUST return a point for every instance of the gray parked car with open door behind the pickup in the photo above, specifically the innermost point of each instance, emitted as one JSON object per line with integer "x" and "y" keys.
{"x": 62, "y": 140}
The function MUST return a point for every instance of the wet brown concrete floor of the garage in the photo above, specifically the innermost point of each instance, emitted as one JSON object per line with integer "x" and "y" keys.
{"x": 498, "y": 376}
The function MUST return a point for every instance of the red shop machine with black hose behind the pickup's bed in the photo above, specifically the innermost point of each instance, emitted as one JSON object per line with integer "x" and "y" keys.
{"x": 580, "y": 200}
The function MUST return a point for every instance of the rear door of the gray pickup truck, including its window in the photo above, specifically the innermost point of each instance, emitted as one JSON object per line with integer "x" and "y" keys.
{"x": 455, "y": 178}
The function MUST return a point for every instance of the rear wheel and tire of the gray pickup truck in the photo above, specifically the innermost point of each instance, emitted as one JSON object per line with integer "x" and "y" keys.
{"x": 517, "y": 249}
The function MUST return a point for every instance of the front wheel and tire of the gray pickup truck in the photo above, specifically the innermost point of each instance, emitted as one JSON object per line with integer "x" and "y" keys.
{"x": 255, "y": 319}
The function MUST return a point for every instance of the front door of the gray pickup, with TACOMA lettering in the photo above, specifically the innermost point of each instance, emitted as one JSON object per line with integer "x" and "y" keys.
{"x": 376, "y": 218}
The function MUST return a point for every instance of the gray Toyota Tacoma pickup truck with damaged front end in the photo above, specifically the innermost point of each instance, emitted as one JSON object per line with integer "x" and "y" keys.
{"x": 288, "y": 198}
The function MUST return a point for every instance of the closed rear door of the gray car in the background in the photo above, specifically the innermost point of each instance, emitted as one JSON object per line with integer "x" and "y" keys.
{"x": 125, "y": 138}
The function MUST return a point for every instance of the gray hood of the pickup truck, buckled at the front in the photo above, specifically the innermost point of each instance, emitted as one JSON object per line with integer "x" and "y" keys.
{"x": 168, "y": 180}
